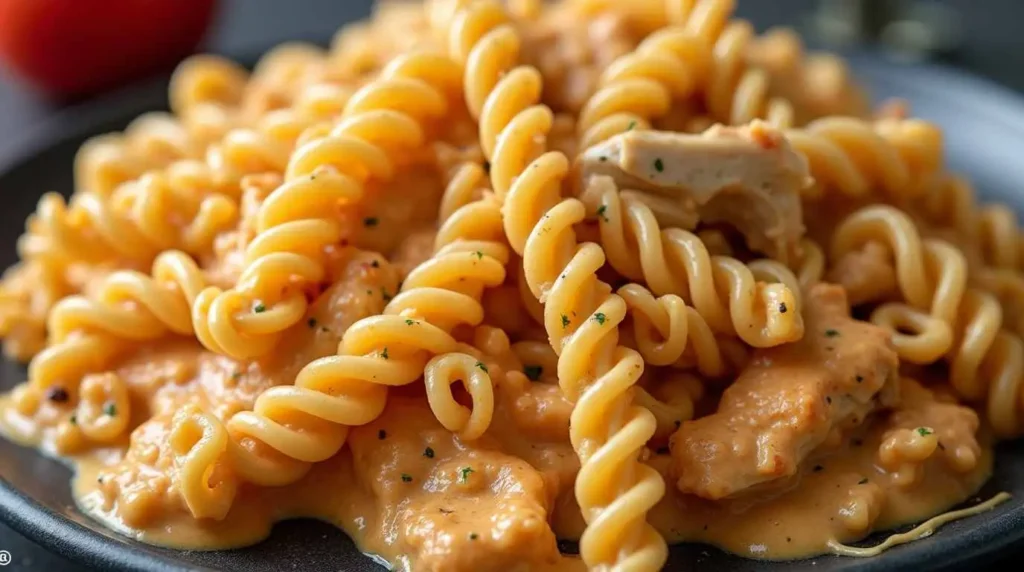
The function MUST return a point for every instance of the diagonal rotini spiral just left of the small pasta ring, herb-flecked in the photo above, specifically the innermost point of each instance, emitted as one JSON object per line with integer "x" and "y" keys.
{"x": 292, "y": 427}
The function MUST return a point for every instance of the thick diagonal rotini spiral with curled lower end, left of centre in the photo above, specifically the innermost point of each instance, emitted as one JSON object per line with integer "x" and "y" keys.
{"x": 298, "y": 222}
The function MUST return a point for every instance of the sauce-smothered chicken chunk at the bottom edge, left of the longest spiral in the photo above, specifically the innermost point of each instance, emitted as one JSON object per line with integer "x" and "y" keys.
{"x": 450, "y": 506}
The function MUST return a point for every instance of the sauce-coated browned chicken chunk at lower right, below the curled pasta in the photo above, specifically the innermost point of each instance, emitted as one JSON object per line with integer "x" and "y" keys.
{"x": 788, "y": 402}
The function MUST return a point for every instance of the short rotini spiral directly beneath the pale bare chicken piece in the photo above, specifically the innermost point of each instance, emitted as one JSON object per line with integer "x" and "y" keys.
{"x": 724, "y": 291}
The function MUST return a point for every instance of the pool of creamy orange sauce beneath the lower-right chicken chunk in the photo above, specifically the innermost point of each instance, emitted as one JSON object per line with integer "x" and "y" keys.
{"x": 841, "y": 495}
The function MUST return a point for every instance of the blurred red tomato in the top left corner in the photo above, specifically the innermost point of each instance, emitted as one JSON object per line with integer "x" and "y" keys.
{"x": 73, "y": 48}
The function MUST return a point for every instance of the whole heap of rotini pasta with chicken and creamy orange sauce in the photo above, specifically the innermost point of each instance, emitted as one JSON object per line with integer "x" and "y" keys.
{"x": 486, "y": 275}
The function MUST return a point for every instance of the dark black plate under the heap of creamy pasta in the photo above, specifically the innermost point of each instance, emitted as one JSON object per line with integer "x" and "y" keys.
{"x": 985, "y": 137}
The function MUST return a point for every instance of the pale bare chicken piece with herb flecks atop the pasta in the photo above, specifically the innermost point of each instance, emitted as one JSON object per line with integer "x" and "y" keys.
{"x": 748, "y": 178}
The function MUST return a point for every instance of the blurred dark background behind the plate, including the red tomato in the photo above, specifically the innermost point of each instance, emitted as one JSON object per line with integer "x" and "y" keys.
{"x": 40, "y": 84}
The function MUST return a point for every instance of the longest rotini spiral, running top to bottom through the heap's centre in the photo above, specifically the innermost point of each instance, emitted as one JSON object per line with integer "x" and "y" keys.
{"x": 594, "y": 371}
